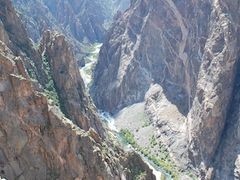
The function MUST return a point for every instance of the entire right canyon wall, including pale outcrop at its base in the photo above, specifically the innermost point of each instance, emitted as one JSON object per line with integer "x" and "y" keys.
{"x": 190, "y": 51}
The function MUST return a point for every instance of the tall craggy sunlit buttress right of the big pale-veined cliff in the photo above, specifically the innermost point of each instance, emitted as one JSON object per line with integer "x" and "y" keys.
{"x": 206, "y": 120}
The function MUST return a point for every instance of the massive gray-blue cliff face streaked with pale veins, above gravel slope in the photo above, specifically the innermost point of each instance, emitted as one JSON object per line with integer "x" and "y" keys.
{"x": 153, "y": 42}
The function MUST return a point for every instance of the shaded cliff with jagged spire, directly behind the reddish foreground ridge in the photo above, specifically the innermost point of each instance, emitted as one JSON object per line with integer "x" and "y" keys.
{"x": 71, "y": 91}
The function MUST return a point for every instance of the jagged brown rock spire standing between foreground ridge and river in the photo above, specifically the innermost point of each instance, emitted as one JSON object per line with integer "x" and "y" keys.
{"x": 69, "y": 85}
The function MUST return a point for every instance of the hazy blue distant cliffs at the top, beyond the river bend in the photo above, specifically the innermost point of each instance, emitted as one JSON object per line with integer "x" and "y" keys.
{"x": 81, "y": 20}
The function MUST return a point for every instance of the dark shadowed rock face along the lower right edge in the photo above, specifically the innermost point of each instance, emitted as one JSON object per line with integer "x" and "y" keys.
{"x": 227, "y": 159}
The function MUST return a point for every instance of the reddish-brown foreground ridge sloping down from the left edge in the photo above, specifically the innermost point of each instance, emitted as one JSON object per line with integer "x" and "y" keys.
{"x": 38, "y": 142}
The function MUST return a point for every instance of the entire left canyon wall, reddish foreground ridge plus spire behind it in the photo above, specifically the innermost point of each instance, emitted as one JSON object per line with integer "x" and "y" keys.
{"x": 37, "y": 141}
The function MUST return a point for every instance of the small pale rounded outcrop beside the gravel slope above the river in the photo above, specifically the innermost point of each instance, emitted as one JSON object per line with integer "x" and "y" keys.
{"x": 170, "y": 124}
